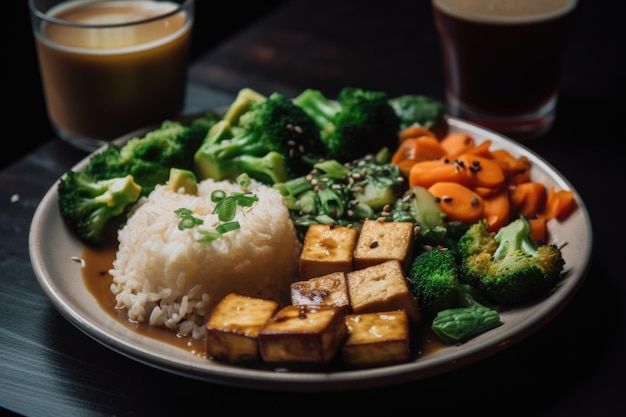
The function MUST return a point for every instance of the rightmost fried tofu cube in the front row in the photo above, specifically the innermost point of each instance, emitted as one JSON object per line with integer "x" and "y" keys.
{"x": 377, "y": 339}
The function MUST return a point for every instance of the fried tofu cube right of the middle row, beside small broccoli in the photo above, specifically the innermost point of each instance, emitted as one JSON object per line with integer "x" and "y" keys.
{"x": 381, "y": 287}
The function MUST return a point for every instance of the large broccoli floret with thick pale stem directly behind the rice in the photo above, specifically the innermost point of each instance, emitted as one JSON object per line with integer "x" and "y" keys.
{"x": 271, "y": 140}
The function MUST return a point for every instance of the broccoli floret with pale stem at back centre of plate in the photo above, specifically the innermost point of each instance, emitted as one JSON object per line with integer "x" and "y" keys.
{"x": 357, "y": 123}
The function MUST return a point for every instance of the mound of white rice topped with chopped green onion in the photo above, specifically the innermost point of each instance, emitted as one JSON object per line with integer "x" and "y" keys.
{"x": 163, "y": 276}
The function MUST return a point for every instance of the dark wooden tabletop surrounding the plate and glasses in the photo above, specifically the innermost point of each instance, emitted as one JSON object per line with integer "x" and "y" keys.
{"x": 574, "y": 366}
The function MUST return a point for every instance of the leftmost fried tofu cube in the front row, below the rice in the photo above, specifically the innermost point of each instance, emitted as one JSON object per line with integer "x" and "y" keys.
{"x": 232, "y": 329}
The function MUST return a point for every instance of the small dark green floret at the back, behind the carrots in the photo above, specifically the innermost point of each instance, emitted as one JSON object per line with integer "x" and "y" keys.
{"x": 414, "y": 109}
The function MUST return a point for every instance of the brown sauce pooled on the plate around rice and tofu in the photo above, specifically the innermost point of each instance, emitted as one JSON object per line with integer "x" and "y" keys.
{"x": 96, "y": 264}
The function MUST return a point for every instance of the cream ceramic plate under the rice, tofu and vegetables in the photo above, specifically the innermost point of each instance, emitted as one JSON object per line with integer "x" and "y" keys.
{"x": 52, "y": 248}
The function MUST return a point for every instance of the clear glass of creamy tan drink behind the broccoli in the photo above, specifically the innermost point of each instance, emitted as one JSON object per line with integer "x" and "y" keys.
{"x": 109, "y": 67}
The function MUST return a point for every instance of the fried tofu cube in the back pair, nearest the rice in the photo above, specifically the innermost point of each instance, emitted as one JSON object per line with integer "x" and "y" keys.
{"x": 327, "y": 248}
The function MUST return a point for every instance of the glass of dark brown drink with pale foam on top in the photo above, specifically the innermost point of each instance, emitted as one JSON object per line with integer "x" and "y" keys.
{"x": 503, "y": 60}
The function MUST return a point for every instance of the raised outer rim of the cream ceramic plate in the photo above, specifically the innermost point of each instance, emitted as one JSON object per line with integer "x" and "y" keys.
{"x": 454, "y": 357}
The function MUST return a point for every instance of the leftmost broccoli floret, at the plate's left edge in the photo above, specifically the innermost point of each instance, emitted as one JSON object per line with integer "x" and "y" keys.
{"x": 88, "y": 206}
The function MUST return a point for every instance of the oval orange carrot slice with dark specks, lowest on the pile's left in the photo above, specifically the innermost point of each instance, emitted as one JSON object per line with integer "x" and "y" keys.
{"x": 458, "y": 202}
